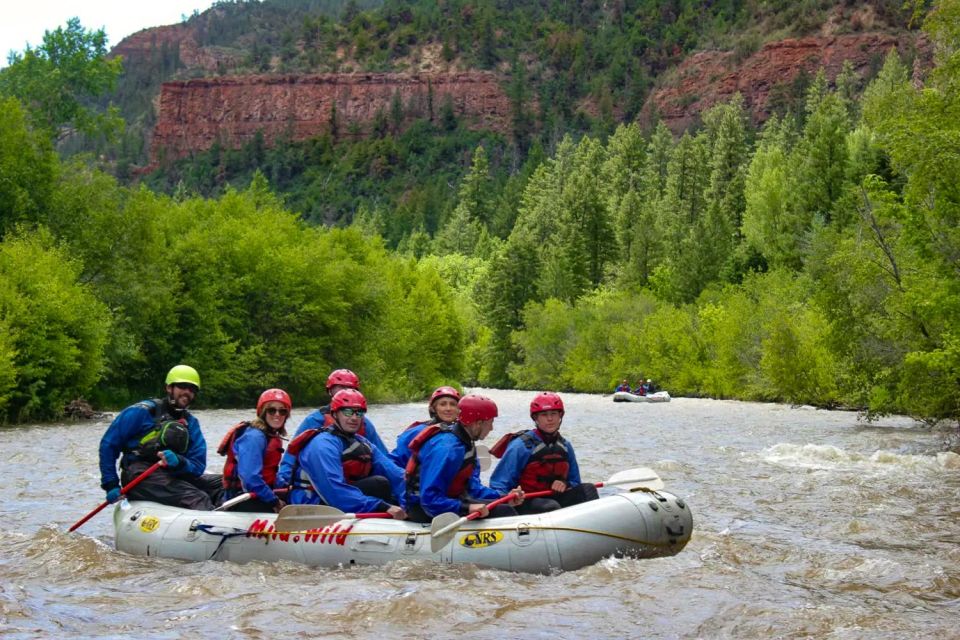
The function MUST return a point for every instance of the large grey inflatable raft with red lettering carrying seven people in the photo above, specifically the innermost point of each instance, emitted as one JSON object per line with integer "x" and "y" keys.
{"x": 639, "y": 523}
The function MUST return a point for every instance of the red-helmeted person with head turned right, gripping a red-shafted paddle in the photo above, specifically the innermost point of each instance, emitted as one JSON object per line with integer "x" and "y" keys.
{"x": 441, "y": 472}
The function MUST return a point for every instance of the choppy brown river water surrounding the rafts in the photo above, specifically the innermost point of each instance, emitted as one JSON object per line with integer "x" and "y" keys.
{"x": 807, "y": 523}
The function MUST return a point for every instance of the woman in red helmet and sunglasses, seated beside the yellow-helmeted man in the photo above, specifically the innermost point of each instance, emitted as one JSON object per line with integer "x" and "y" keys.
{"x": 253, "y": 451}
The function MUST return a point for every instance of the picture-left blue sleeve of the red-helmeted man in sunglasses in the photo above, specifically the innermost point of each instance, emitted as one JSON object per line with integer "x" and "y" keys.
{"x": 321, "y": 460}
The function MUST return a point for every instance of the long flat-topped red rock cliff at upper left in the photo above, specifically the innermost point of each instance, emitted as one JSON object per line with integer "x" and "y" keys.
{"x": 232, "y": 109}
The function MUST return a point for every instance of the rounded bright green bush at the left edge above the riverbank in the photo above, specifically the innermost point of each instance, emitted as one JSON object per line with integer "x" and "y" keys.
{"x": 53, "y": 329}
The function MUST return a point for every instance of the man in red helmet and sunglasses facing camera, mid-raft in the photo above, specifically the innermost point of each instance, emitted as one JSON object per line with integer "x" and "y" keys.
{"x": 337, "y": 467}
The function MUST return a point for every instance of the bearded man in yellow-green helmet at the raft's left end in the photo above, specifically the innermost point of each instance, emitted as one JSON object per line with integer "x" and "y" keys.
{"x": 161, "y": 429}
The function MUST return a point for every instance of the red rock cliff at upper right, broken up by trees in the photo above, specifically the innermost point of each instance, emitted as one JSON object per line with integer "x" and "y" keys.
{"x": 709, "y": 77}
